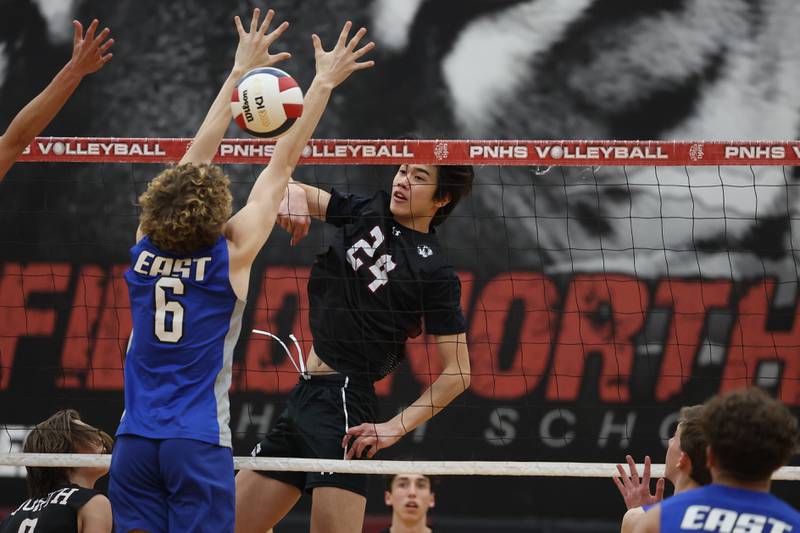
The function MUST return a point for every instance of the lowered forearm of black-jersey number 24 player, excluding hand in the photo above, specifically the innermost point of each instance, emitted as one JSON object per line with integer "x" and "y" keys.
{"x": 453, "y": 380}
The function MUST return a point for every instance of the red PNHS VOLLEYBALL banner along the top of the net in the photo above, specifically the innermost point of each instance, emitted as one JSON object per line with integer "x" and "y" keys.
{"x": 455, "y": 152}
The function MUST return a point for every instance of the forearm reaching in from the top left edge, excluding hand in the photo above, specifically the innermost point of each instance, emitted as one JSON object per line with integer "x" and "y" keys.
{"x": 35, "y": 116}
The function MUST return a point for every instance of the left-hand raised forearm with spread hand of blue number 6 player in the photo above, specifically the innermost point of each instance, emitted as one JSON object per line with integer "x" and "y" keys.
{"x": 252, "y": 52}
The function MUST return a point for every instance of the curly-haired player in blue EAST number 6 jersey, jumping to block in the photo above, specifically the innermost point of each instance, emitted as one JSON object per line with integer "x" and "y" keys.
{"x": 172, "y": 469}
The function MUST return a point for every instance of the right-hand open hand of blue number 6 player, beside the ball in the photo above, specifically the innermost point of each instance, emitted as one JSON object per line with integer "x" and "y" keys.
{"x": 336, "y": 66}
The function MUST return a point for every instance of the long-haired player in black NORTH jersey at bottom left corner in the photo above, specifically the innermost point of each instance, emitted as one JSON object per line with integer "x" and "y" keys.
{"x": 63, "y": 500}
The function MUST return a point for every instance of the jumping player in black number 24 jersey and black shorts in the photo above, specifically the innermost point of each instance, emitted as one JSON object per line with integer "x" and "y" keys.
{"x": 382, "y": 277}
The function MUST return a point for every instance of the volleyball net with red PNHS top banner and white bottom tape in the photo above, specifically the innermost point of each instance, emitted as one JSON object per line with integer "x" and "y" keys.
{"x": 605, "y": 285}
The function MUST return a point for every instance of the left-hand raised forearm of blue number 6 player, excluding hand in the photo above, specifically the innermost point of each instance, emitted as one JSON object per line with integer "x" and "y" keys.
{"x": 212, "y": 130}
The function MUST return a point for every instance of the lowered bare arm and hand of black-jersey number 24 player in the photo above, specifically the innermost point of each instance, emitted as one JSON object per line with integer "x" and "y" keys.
{"x": 453, "y": 380}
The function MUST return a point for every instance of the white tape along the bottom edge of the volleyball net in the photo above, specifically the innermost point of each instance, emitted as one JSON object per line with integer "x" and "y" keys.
{"x": 434, "y": 468}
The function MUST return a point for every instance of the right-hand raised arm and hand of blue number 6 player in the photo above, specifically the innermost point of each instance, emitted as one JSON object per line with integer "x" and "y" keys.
{"x": 248, "y": 230}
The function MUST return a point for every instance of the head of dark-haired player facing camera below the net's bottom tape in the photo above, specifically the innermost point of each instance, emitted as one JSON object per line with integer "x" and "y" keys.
{"x": 411, "y": 497}
